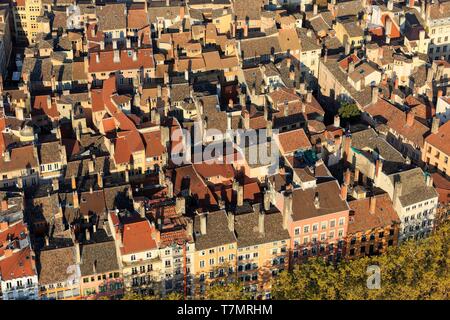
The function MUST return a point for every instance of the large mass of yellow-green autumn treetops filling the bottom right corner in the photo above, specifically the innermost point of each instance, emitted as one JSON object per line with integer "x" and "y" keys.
{"x": 413, "y": 270}
